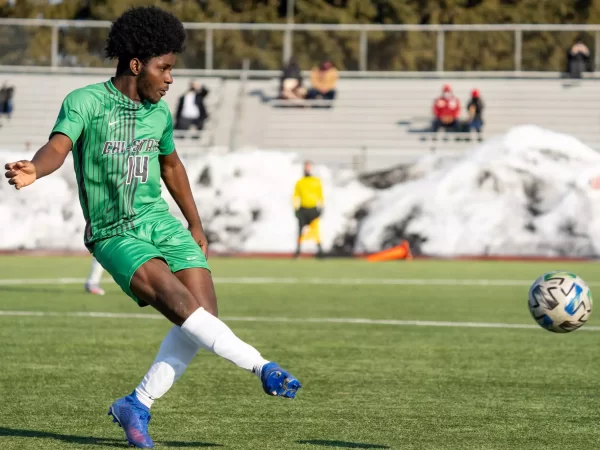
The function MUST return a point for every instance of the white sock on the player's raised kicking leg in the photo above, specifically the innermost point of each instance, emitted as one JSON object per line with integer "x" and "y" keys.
{"x": 213, "y": 335}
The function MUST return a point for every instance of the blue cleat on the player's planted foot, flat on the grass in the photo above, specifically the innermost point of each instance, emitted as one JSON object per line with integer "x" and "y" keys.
{"x": 133, "y": 416}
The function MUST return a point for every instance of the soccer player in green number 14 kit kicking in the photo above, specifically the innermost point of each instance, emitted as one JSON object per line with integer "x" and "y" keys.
{"x": 121, "y": 135}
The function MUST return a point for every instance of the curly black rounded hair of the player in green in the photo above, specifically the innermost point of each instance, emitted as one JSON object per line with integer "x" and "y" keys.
{"x": 144, "y": 32}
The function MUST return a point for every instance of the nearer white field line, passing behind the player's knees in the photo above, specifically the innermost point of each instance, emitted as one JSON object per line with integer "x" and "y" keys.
{"x": 298, "y": 320}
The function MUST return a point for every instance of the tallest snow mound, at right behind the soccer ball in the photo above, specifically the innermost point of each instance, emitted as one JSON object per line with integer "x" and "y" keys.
{"x": 523, "y": 193}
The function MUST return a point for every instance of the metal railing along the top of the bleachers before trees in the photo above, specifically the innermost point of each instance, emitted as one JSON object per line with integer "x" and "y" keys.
{"x": 289, "y": 30}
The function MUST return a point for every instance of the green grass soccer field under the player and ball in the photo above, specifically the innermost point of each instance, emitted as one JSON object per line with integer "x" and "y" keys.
{"x": 366, "y": 385}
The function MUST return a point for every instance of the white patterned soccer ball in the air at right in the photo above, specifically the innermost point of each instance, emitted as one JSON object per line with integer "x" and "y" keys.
{"x": 560, "y": 301}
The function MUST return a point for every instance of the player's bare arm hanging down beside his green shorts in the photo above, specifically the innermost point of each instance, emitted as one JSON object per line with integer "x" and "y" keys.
{"x": 175, "y": 177}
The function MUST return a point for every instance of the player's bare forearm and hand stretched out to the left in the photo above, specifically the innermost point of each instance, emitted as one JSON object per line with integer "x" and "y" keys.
{"x": 47, "y": 159}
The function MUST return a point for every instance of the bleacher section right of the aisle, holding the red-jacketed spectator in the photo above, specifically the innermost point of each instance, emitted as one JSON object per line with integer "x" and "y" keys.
{"x": 384, "y": 119}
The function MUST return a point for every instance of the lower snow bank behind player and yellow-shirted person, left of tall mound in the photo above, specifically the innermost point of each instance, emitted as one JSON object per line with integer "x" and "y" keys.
{"x": 244, "y": 199}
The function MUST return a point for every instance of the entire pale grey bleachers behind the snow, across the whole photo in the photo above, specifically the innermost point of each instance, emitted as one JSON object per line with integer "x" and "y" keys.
{"x": 373, "y": 123}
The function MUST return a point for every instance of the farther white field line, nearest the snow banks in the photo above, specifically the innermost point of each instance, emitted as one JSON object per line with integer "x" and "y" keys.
{"x": 305, "y": 281}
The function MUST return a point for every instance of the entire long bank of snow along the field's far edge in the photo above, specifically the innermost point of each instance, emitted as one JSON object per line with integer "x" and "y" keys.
{"x": 523, "y": 193}
